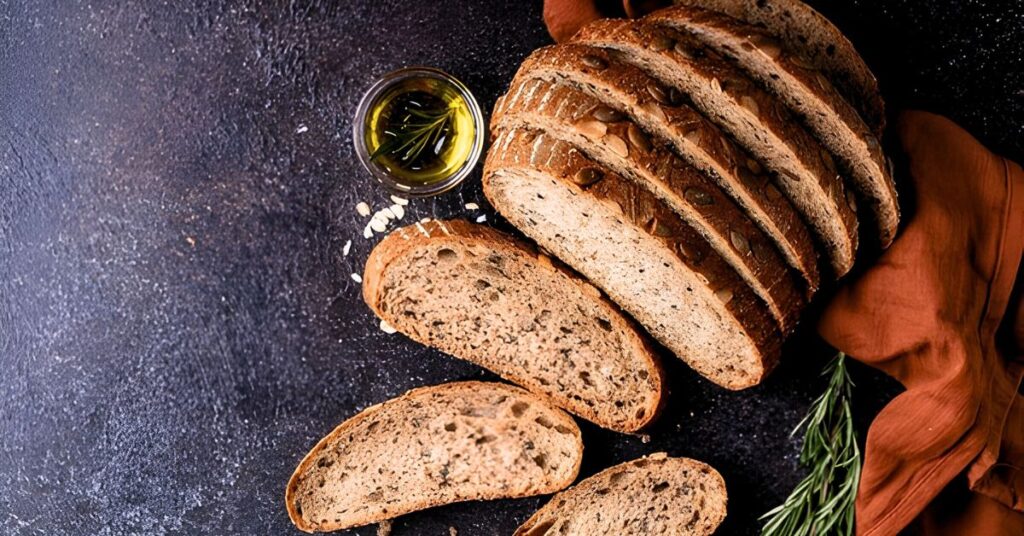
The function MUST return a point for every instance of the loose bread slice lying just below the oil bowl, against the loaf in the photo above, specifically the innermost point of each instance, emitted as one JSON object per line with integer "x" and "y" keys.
{"x": 483, "y": 297}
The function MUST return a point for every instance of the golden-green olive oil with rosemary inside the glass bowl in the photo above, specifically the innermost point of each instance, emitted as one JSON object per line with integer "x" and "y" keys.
{"x": 421, "y": 131}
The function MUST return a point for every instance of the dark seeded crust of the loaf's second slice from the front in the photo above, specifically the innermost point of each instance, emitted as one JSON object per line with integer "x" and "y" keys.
{"x": 567, "y": 106}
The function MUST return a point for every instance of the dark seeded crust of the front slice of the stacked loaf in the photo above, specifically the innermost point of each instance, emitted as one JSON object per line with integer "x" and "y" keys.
{"x": 562, "y": 161}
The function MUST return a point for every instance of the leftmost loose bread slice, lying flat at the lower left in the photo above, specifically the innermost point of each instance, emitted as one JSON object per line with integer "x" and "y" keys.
{"x": 435, "y": 446}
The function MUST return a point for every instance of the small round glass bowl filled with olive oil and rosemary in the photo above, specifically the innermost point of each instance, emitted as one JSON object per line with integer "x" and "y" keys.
{"x": 419, "y": 132}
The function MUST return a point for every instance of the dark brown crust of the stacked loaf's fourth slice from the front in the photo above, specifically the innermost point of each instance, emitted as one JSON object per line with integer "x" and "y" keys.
{"x": 773, "y": 117}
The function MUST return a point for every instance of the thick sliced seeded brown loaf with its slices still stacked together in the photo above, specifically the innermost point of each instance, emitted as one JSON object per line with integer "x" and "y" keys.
{"x": 706, "y": 167}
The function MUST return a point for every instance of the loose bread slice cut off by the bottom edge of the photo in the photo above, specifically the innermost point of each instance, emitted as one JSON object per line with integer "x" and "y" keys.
{"x": 652, "y": 496}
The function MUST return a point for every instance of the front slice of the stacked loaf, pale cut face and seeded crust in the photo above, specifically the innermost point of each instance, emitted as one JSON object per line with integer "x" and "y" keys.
{"x": 631, "y": 245}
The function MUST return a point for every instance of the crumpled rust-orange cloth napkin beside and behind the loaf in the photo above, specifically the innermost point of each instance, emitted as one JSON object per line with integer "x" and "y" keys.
{"x": 940, "y": 312}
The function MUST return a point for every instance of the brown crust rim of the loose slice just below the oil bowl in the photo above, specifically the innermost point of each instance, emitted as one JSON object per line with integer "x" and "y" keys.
{"x": 409, "y": 238}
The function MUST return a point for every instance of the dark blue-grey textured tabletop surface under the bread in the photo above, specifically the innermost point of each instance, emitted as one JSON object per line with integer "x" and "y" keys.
{"x": 178, "y": 324}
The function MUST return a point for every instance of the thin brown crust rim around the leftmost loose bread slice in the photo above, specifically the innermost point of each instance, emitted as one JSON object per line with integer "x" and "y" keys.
{"x": 561, "y": 419}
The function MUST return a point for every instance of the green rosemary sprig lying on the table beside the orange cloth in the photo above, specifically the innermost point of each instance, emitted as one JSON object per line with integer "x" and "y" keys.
{"x": 824, "y": 503}
